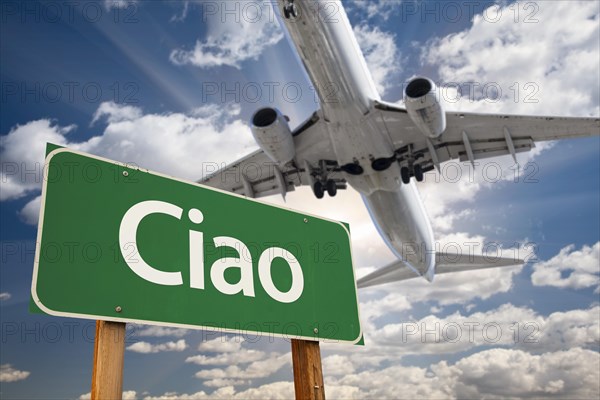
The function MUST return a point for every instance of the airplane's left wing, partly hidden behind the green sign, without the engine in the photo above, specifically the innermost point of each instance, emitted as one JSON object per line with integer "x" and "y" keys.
{"x": 256, "y": 175}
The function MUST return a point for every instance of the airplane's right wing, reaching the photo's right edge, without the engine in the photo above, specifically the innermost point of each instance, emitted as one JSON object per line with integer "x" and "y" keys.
{"x": 472, "y": 136}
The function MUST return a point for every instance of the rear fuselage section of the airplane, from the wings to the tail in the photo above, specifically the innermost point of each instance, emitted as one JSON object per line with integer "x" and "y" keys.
{"x": 402, "y": 222}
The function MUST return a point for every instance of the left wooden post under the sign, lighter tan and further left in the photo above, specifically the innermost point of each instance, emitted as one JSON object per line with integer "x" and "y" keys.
{"x": 109, "y": 349}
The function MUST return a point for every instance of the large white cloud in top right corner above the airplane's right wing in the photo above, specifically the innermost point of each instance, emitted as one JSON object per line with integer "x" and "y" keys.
{"x": 504, "y": 52}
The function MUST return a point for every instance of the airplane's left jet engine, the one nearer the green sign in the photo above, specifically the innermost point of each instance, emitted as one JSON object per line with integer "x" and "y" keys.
{"x": 273, "y": 134}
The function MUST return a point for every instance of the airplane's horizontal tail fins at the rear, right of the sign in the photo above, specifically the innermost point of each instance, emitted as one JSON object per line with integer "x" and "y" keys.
{"x": 444, "y": 263}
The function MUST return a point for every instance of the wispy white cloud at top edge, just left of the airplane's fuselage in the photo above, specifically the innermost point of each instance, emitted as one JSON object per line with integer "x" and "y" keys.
{"x": 234, "y": 39}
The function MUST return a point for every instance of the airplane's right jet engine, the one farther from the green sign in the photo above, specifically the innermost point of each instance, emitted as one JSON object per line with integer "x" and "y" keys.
{"x": 424, "y": 107}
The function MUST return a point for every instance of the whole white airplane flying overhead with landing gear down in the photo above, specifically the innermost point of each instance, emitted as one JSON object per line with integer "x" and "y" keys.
{"x": 378, "y": 148}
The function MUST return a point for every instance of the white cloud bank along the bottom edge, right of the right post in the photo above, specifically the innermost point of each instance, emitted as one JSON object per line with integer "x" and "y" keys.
{"x": 493, "y": 374}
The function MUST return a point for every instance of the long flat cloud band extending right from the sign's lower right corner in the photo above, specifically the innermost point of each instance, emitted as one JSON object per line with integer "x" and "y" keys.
{"x": 505, "y": 326}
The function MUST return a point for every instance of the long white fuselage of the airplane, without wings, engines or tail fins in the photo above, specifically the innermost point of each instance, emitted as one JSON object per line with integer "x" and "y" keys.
{"x": 325, "y": 41}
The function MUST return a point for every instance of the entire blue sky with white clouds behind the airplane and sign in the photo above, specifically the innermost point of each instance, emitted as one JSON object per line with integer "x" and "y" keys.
{"x": 144, "y": 82}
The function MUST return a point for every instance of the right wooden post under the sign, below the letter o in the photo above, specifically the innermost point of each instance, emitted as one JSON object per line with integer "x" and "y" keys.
{"x": 308, "y": 372}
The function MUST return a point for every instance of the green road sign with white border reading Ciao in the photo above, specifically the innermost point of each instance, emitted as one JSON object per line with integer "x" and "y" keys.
{"x": 124, "y": 244}
